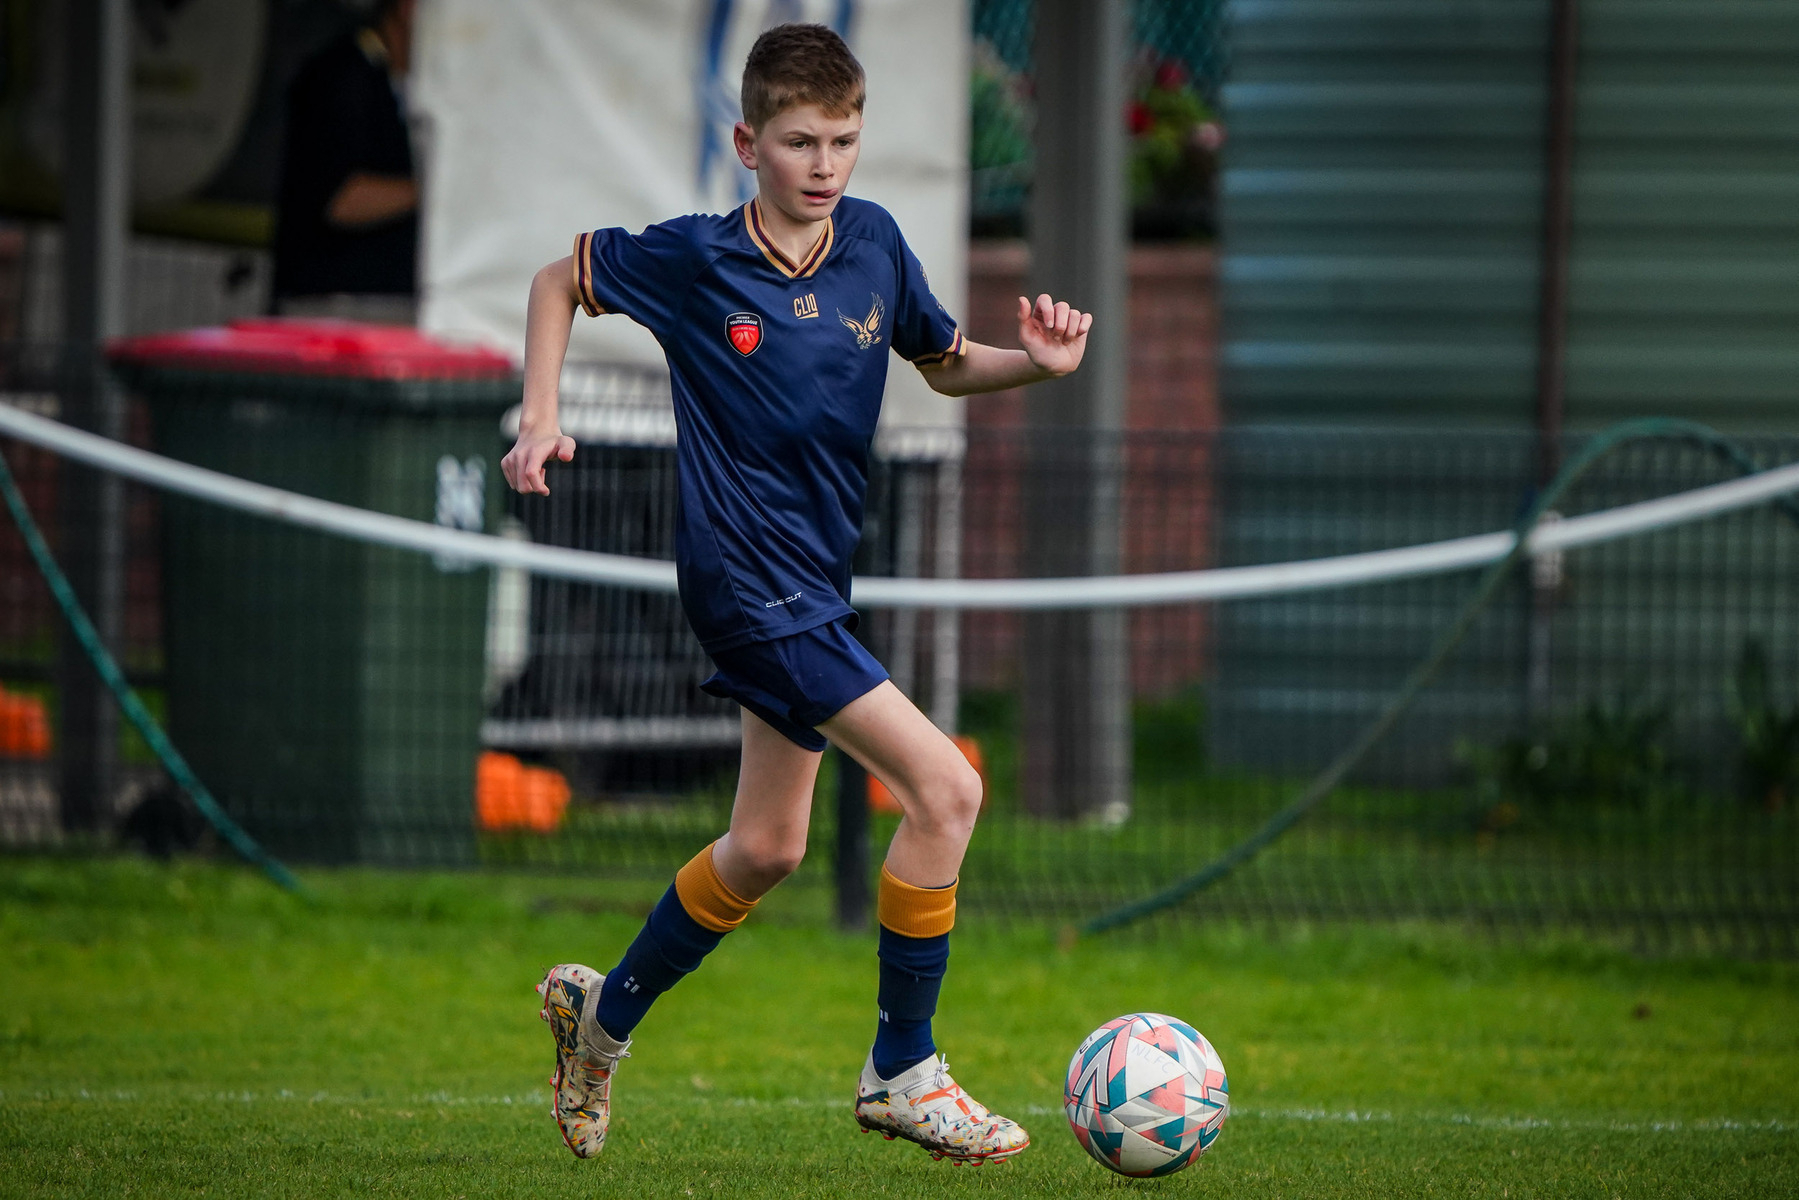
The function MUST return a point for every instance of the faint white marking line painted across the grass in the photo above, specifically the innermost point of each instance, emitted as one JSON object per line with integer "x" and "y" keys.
{"x": 537, "y": 1100}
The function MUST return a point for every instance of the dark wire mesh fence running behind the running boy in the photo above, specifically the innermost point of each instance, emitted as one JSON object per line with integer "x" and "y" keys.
{"x": 1616, "y": 748}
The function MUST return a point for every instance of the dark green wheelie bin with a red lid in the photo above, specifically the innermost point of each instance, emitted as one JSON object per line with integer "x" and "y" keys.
{"x": 328, "y": 690}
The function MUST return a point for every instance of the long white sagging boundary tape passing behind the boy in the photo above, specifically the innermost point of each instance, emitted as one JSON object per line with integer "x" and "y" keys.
{"x": 1176, "y": 587}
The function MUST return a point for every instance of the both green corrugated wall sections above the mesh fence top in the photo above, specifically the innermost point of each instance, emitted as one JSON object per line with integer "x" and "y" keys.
{"x": 1383, "y": 201}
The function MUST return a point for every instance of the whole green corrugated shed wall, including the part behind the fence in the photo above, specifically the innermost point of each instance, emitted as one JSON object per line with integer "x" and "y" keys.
{"x": 1381, "y": 255}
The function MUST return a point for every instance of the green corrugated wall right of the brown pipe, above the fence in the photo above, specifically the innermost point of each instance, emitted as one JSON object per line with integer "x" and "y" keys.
{"x": 1687, "y": 213}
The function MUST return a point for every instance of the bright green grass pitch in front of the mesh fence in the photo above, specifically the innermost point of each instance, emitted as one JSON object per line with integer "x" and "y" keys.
{"x": 192, "y": 1032}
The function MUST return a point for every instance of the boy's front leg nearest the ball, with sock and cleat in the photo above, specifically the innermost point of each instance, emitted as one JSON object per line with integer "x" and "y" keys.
{"x": 906, "y": 1089}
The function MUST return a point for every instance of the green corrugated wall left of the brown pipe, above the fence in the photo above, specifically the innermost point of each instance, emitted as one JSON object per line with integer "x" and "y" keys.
{"x": 1381, "y": 210}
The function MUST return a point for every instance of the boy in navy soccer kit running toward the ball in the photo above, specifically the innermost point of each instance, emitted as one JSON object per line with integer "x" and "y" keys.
{"x": 776, "y": 321}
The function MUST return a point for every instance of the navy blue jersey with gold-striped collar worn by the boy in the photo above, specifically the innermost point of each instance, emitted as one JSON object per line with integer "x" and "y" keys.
{"x": 778, "y": 372}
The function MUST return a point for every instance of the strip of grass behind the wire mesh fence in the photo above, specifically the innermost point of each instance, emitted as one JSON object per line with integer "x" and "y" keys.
{"x": 1694, "y": 872}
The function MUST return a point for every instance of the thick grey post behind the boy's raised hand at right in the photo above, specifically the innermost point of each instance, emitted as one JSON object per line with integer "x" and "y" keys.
{"x": 1077, "y": 690}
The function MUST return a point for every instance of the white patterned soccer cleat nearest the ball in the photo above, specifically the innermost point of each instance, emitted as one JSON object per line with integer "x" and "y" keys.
{"x": 927, "y": 1107}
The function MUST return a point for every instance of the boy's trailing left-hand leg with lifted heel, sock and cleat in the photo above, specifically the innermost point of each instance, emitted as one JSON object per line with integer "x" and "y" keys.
{"x": 593, "y": 1016}
